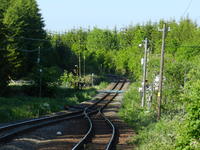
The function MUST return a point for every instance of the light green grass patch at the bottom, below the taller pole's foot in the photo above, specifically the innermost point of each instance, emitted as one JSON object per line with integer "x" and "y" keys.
{"x": 159, "y": 135}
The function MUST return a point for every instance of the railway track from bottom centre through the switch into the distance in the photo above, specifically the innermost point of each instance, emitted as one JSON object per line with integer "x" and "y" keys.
{"x": 100, "y": 125}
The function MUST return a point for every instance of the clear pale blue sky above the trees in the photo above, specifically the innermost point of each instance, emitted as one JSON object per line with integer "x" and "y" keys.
{"x": 60, "y": 15}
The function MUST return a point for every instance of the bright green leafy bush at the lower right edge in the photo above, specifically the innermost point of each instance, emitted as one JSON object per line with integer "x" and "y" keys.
{"x": 189, "y": 133}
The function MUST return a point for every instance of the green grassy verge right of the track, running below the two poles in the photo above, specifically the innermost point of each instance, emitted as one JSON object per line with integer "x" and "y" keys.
{"x": 150, "y": 133}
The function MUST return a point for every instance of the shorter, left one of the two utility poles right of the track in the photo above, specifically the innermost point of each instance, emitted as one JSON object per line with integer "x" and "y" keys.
{"x": 144, "y": 72}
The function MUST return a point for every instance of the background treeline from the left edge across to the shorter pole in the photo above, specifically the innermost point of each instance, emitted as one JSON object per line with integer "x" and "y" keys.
{"x": 26, "y": 49}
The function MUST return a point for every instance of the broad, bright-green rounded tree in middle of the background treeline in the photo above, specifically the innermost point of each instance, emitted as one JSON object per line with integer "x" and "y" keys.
{"x": 99, "y": 44}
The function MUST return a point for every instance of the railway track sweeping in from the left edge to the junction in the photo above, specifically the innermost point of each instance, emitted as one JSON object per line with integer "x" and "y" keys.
{"x": 8, "y": 132}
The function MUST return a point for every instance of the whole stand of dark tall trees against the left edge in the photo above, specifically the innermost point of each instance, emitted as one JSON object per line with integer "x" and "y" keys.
{"x": 20, "y": 20}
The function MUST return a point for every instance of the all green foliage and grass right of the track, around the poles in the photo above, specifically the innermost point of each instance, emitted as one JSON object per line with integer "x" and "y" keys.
{"x": 179, "y": 125}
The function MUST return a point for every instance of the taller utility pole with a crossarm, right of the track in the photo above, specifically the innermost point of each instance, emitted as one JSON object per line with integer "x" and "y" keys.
{"x": 164, "y": 31}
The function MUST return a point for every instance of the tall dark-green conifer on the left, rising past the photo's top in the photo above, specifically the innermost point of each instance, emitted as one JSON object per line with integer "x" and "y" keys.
{"x": 25, "y": 24}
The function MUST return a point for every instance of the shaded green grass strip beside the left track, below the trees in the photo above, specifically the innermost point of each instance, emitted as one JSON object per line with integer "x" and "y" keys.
{"x": 20, "y": 106}
